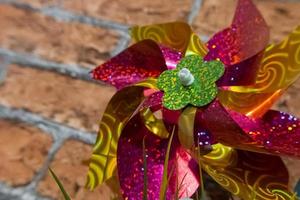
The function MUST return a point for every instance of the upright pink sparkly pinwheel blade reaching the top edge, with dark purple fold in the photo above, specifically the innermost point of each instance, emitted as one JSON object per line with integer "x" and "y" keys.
{"x": 239, "y": 44}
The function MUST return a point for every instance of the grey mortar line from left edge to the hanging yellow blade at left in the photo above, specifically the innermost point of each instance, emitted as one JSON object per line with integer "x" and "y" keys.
{"x": 55, "y": 129}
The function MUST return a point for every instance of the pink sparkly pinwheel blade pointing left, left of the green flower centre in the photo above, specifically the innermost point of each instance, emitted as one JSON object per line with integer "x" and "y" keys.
{"x": 140, "y": 61}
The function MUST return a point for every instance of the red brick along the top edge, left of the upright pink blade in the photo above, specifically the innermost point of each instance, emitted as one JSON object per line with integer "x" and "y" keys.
{"x": 128, "y": 12}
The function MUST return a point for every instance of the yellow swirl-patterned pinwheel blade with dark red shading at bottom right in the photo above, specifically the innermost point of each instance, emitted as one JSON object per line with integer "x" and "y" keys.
{"x": 246, "y": 174}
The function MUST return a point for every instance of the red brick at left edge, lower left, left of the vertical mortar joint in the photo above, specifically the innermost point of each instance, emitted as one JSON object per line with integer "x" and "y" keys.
{"x": 23, "y": 150}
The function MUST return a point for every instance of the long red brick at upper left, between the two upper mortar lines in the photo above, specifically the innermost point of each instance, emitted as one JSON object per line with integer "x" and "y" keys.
{"x": 25, "y": 31}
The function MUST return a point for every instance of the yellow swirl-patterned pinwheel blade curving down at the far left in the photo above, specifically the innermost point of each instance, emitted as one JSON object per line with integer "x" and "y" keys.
{"x": 119, "y": 110}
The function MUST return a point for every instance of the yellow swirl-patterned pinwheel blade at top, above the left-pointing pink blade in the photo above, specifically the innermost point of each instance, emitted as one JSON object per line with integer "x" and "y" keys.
{"x": 175, "y": 34}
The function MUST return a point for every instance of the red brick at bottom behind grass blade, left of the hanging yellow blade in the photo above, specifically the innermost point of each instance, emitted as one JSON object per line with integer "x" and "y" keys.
{"x": 71, "y": 167}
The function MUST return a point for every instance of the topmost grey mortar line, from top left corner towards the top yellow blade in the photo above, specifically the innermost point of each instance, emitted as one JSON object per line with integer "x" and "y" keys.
{"x": 68, "y": 16}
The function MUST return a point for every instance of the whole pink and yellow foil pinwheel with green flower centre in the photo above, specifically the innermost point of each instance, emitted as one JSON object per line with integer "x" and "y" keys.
{"x": 189, "y": 103}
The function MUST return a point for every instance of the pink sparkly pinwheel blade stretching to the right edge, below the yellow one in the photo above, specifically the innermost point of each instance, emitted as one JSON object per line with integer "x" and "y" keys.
{"x": 275, "y": 132}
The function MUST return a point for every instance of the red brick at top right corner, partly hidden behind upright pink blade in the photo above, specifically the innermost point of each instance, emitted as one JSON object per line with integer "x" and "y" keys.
{"x": 215, "y": 15}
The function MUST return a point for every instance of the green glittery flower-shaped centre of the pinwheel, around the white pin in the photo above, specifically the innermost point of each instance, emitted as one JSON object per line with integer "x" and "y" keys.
{"x": 201, "y": 92}
